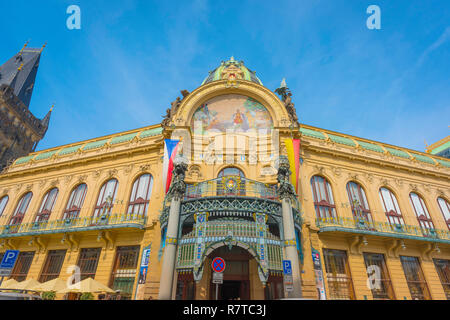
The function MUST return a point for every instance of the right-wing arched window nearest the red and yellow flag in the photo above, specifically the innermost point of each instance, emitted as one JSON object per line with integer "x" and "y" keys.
{"x": 323, "y": 198}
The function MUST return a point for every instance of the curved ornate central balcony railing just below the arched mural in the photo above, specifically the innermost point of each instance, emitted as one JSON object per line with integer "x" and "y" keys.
{"x": 231, "y": 186}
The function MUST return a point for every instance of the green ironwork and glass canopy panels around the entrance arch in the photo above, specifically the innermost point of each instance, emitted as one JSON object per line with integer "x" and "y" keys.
{"x": 215, "y": 231}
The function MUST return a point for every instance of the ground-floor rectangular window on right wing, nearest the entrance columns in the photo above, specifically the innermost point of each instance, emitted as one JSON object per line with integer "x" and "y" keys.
{"x": 338, "y": 275}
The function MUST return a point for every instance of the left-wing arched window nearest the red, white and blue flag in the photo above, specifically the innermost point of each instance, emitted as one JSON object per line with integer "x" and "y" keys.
{"x": 140, "y": 195}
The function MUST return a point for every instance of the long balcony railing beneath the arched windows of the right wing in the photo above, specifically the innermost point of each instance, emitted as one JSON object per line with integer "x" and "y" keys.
{"x": 360, "y": 225}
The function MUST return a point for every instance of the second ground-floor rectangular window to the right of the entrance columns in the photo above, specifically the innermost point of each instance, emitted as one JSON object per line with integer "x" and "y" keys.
{"x": 381, "y": 284}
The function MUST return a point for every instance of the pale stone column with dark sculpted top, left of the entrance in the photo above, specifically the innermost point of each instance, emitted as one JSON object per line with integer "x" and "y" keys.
{"x": 176, "y": 192}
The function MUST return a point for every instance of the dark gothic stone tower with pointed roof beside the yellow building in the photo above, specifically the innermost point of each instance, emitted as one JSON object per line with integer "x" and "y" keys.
{"x": 20, "y": 130}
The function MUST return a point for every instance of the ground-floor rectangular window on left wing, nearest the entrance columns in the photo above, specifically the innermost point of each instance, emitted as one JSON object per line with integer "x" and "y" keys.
{"x": 124, "y": 270}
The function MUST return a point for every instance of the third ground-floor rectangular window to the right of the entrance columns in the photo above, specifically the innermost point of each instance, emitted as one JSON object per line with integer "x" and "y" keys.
{"x": 415, "y": 278}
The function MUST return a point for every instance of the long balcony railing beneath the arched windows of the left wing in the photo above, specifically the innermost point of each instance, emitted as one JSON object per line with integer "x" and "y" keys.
{"x": 75, "y": 224}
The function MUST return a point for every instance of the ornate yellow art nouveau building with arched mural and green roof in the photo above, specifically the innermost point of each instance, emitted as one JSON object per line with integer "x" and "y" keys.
{"x": 369, "y": 220}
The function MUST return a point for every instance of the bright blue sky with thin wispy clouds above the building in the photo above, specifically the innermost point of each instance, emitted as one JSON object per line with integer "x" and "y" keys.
{"x": 131, "y": 59}
